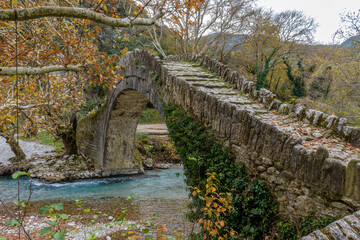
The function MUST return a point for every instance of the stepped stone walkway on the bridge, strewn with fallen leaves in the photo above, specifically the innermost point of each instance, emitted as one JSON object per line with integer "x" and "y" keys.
{"x": 310, "y": 137}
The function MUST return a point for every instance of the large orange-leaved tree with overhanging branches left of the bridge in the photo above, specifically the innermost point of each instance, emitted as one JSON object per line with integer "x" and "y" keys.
{"x": 57, "y": 36}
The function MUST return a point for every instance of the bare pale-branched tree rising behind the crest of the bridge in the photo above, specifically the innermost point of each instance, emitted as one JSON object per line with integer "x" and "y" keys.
{"x": 208, "y": 25}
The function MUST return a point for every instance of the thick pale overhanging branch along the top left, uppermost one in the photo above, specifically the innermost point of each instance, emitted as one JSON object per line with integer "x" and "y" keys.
{"x": 73, "y": 12}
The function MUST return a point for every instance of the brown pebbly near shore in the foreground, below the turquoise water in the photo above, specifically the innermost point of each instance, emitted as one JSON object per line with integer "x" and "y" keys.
{"x": 116, "y": 217}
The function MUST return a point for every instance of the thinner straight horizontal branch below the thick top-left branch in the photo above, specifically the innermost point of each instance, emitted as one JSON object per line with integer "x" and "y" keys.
{"x": 10, "y": 71}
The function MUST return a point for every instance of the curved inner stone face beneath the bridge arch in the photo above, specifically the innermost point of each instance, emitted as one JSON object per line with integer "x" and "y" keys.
{"x": 125, "y": 111}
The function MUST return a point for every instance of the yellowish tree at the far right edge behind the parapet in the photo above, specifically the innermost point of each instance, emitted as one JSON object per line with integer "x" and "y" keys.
{"x": 335, "y": 86}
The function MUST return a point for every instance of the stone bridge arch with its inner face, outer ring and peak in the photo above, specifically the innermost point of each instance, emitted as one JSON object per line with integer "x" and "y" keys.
{"x": 125, "y": 105}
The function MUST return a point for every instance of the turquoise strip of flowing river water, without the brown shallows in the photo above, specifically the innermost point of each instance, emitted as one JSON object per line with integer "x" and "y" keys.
{"x": 166, "y": 184}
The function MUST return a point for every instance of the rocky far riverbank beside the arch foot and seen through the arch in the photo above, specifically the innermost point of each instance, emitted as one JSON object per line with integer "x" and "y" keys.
{"x": 153, "y": 150}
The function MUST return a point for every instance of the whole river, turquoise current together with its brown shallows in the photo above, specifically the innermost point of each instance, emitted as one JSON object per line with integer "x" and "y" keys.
{"x": 161, "y": 192}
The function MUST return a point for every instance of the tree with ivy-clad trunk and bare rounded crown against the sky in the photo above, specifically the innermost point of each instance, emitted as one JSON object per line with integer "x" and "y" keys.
{"x": 271, "y": 37}
